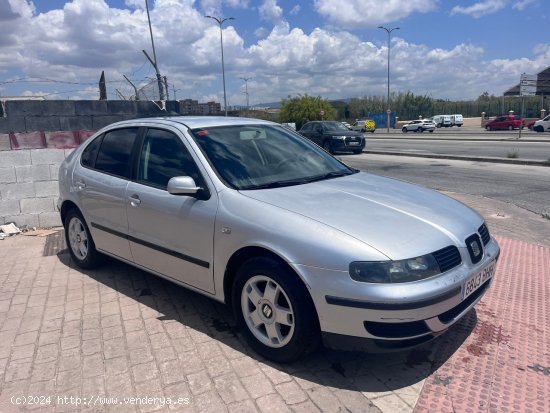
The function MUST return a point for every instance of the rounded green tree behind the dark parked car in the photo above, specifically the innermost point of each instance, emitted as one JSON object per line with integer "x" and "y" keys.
{"x": 301, "y": 109}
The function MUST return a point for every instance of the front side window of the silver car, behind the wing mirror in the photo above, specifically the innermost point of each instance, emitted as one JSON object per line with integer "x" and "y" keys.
{"x": 163, "y": 156}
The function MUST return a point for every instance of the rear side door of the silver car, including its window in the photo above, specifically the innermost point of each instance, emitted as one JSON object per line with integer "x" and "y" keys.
{"x": 100, "y": 180}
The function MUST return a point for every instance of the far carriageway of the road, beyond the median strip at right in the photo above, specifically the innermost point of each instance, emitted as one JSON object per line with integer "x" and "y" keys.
{"x": 427, "y": 143}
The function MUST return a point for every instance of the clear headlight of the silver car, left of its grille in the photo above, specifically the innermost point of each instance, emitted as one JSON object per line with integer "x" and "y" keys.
{"x": 402, "y": 271}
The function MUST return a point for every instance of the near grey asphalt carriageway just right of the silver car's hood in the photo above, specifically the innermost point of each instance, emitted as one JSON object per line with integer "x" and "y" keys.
{"x": 525, "y": 186}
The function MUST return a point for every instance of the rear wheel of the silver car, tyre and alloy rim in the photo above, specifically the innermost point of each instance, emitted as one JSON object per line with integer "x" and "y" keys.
{"x": 79, "y": 241}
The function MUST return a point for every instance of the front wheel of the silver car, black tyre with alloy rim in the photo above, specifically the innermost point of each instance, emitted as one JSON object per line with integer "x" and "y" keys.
{"x": 265, "y": 291}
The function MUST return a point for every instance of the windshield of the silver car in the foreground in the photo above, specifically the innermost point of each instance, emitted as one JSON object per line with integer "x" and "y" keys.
{"x": 265, "y": 156}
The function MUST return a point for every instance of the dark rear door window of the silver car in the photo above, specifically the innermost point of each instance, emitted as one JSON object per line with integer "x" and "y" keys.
{"x": 114, "y": 153}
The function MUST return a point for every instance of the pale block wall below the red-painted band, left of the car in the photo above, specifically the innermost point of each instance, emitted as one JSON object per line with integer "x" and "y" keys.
{"x": 28, "y": 186}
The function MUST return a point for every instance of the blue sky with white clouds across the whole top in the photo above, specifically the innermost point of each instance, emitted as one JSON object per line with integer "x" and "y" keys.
{"x": 449, "y": 49}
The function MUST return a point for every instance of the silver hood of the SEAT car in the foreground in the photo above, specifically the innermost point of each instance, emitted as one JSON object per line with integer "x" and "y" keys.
{"x": 399, "y": 219}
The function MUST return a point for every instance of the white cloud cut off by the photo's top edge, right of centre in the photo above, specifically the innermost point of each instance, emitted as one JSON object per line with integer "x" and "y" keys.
{"x": 370, "y": 13}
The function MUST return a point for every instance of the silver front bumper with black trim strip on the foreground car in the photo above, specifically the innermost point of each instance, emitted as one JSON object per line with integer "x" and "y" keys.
{"x": 395, "y": 315}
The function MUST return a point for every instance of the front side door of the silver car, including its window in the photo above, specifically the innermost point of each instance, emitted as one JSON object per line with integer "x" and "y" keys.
{"x": 170, "y": 234}
